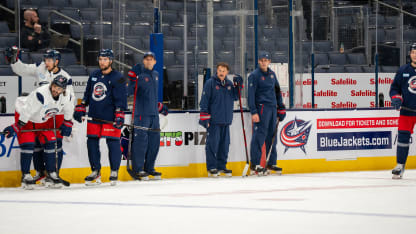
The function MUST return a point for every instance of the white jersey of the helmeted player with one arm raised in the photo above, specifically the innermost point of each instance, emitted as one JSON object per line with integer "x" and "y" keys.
{"x": 42, "y": 74}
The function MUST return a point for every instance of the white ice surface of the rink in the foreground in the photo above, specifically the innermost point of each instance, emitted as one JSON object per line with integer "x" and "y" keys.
{"x": 350, "y": 202}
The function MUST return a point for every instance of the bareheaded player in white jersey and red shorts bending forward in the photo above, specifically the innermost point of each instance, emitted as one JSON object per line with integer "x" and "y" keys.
{"x": 35, "y": 113}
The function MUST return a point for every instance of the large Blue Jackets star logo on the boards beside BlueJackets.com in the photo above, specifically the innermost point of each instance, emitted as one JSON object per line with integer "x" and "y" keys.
{"x": 295, "y": 134}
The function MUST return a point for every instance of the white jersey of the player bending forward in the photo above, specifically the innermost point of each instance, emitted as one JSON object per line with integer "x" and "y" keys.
{"x": 39, "y": 106}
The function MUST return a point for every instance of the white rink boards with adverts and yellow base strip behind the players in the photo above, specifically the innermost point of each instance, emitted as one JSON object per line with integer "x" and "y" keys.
{"x": 308, "y": 141}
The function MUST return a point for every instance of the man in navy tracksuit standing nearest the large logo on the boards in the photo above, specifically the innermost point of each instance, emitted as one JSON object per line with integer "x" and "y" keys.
{"x": 266, "y": 105}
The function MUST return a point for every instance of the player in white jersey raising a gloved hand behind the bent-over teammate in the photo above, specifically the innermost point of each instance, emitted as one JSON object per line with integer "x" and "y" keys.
{"x": 44, "y": 72}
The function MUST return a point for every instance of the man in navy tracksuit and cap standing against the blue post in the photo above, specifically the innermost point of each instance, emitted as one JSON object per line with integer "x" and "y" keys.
{"x": 145, "y": 146}
